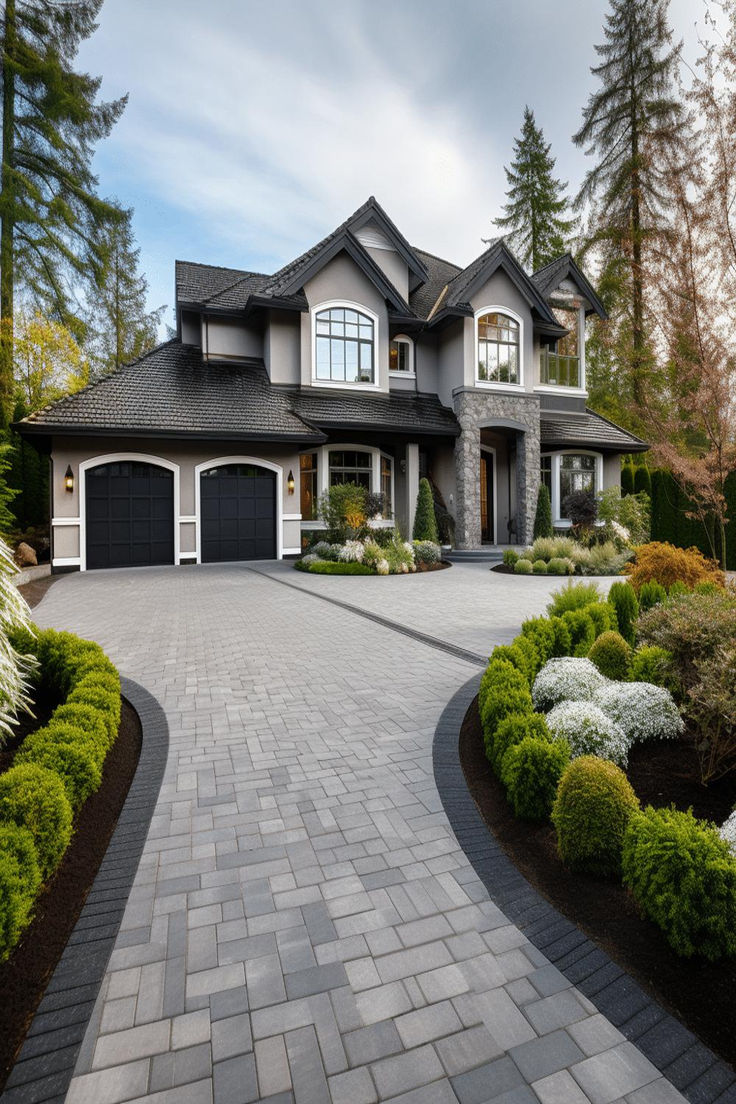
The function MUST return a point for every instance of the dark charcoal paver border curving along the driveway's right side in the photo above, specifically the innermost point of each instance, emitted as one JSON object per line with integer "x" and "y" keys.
{"x": 692, "y": 1068}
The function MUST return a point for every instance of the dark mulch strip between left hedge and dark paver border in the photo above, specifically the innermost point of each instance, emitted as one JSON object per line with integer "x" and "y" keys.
{"x": 25, "y": 976}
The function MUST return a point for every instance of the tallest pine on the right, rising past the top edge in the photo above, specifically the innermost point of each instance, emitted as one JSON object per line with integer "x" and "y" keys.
{"x": 632, "y": 125}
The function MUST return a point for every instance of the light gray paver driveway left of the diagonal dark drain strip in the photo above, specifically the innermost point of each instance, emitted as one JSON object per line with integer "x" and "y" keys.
{"x": 304, "y": 926}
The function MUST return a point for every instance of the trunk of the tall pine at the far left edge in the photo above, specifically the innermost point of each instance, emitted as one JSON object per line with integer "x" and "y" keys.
{"x": 7, "y": 220}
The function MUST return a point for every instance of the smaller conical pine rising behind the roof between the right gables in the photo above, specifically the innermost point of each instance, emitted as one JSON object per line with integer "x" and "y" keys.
{"x": 536, "y": 216}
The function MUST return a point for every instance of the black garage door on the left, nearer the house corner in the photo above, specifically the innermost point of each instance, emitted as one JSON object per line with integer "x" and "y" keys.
{"x": 130, "y": 515}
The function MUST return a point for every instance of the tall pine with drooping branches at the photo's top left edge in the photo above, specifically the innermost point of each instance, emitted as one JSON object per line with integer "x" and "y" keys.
{"x": 51, "y": 215}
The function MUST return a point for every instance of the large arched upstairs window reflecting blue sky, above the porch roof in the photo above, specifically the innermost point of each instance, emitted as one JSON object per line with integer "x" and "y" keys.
{"x": 345, "y": 346}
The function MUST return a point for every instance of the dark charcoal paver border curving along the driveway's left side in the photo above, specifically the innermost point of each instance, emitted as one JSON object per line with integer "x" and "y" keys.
{"x": 46, "y": 1065}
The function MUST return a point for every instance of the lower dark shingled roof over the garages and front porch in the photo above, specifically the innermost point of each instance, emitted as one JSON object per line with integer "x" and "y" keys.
{"x": 173, "y": 392}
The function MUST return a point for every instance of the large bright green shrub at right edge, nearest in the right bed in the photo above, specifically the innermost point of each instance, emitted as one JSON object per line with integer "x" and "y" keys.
{"x": 684, "y": 877}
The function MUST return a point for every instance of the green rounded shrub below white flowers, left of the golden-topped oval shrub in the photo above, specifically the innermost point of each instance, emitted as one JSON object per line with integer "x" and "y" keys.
{"x": 531, "y": 771}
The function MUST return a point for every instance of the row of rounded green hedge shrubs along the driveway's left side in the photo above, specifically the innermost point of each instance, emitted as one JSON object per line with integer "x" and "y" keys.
{"x": 57, "y": 769}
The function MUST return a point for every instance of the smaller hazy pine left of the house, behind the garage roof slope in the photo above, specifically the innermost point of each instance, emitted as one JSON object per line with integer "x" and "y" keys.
{"x": 121, "y": 327}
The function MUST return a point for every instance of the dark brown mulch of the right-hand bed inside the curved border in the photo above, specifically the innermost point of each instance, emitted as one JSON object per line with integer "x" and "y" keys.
{"x": 699, "y": 993}
